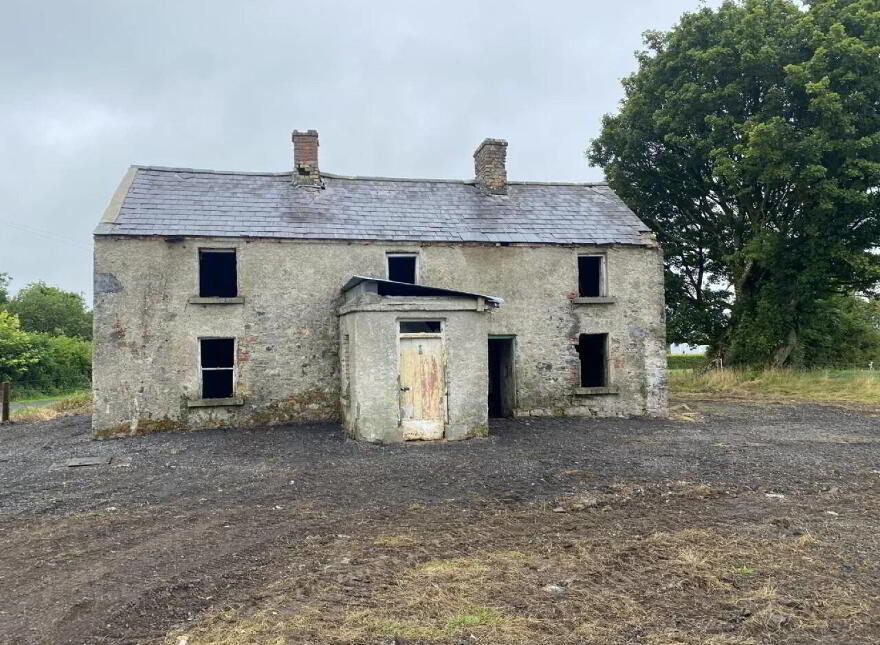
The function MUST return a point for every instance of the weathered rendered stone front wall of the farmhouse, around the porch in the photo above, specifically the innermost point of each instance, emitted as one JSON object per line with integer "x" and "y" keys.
{"x": 146, "y": 332}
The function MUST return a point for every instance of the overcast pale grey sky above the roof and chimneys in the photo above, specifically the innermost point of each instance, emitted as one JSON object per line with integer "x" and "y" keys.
{"x": 395, "y": 88}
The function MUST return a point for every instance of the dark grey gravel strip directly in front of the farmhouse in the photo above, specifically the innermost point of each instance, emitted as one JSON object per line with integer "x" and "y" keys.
{"x": 773, "y": 447}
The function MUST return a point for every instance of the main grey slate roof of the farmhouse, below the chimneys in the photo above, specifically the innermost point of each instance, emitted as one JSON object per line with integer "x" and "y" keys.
{"x": 187, "y": 202}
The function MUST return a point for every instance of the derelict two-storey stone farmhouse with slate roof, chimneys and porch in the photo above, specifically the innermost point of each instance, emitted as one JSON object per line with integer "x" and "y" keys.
{"x": 402, "y": 308}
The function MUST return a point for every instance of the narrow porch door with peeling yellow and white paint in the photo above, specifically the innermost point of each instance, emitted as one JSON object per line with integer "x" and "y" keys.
{"x": 422, "y": 387}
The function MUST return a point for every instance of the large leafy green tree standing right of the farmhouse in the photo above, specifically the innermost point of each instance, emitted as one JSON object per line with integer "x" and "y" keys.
{"x": 749, "y": 140}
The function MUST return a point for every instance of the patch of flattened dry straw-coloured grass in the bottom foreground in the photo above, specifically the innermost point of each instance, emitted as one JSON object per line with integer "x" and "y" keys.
{"x": 691, "y": 587}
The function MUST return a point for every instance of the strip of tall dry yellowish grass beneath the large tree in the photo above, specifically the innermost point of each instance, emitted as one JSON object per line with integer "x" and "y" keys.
{"x": 847, "y": 386}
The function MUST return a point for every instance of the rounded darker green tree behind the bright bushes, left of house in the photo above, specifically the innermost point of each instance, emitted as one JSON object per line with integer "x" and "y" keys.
{"x": 42, "y": 308}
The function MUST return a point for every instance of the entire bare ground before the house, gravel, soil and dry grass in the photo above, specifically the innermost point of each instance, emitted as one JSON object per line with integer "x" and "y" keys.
{"x": 738, "y": 523}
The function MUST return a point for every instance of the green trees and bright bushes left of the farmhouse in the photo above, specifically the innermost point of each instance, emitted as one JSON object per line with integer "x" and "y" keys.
{"x": 45, "y": 340}
